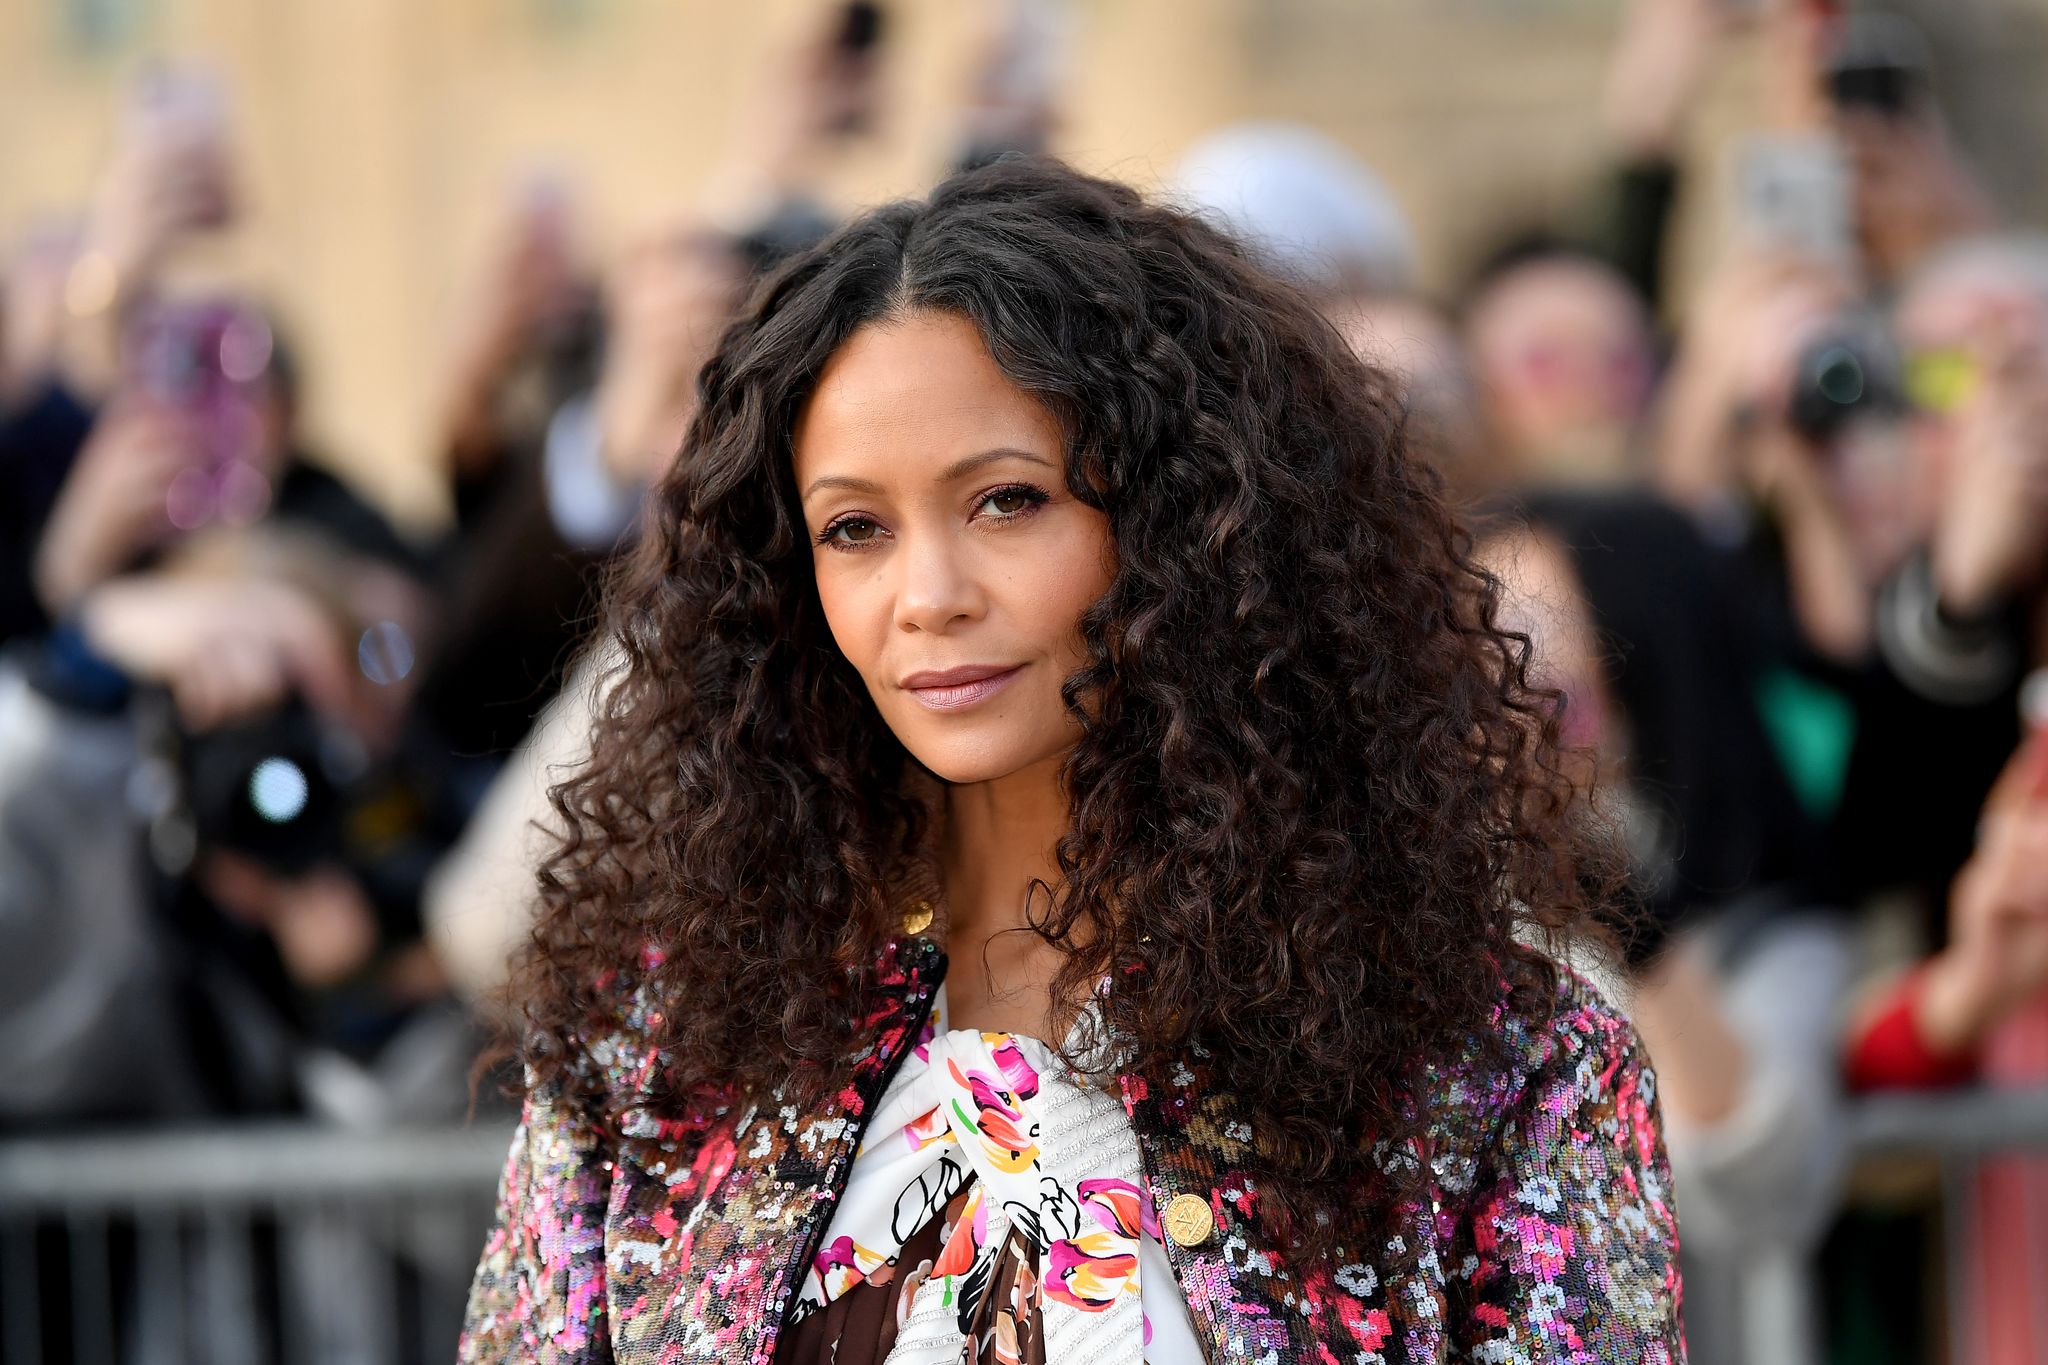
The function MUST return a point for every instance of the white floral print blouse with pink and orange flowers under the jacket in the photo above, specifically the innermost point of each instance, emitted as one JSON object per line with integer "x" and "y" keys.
{"x": 996, "y": 1215}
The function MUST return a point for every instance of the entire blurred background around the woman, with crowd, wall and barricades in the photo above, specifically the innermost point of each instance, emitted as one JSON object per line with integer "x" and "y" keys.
{"x": 341, "y": 341}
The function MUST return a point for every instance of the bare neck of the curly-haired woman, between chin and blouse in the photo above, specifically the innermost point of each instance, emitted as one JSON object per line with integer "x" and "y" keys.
{"x": 998, "y": 842}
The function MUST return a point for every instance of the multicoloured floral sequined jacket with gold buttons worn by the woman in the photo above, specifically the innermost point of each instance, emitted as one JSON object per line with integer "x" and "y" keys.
{"x": 1547, "y": 1237}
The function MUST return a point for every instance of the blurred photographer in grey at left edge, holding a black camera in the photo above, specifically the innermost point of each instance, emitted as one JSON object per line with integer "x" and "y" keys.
{"x": 169, "y": 824}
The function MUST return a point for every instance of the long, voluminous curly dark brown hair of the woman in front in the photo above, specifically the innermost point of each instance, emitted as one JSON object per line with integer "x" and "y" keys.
{"x": 1316, "y": 805}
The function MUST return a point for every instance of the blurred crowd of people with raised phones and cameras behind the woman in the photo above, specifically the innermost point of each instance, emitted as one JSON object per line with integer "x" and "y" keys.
{"x": 273, "y": 775}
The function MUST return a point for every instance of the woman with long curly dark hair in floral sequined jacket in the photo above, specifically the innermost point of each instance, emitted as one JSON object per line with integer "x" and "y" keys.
{"x": 1056, "y": 858}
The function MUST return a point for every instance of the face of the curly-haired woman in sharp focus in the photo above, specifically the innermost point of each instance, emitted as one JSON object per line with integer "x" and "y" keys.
{"x": 951, "y": 560}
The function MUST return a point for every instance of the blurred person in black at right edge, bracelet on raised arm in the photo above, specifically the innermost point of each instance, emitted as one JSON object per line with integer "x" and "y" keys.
{"x": 1961, "y": 617}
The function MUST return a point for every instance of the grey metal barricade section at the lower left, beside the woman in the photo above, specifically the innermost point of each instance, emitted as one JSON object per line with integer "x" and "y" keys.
{"x": 243, "y": 1245}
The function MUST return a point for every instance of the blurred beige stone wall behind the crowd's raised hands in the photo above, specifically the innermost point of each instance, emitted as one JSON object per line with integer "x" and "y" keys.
{"x": 382, "y": 136}
